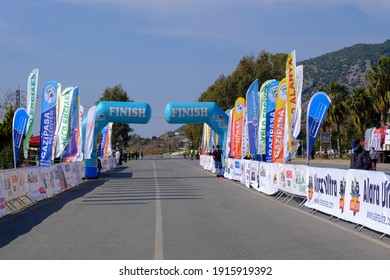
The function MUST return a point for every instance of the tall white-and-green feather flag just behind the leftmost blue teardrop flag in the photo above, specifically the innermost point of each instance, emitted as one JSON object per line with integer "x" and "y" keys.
{"x": 32, "y": 86}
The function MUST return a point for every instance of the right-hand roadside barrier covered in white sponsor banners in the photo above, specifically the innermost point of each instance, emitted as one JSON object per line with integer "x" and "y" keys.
{"x": 358, "y": 196}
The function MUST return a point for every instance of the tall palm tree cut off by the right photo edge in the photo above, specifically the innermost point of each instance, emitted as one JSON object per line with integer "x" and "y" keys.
{"x": 379, "y": 88}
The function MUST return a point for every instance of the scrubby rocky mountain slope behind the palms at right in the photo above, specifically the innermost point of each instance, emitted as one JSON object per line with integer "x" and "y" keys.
{"x": 347, "y": 66}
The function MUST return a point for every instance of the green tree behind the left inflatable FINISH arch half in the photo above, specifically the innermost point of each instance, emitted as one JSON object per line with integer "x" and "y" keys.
{"x": 120, "y": 131}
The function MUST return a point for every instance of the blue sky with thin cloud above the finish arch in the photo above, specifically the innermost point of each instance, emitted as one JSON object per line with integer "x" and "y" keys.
{"x": 169, "y": 51}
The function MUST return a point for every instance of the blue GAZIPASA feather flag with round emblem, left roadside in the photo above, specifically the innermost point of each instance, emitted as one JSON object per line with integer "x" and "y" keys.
{"x": 48, "y": 122}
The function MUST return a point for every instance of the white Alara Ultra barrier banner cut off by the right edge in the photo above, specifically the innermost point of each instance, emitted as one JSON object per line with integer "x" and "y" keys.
{"x": 367, "y": 199}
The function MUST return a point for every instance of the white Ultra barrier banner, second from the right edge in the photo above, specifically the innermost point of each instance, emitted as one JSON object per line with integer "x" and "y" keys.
{"x": 323, "y": 190}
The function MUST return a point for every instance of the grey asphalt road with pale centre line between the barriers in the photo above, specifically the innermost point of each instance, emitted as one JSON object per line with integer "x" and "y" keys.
{"x": 171, "y": 209}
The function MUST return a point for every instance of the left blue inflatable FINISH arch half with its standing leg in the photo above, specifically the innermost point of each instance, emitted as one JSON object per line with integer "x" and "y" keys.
{"x": 117, "y": 112}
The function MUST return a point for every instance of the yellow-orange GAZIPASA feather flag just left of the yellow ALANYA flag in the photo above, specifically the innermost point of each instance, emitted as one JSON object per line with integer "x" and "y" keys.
{"x": 279, "y": 123}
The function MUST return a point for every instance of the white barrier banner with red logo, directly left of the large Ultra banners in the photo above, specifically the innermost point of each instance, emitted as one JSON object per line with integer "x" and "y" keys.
{"x": 293, "y": 179}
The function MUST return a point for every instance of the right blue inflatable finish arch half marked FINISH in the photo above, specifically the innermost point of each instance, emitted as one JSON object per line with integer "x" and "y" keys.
{"x": 199, "y": 112}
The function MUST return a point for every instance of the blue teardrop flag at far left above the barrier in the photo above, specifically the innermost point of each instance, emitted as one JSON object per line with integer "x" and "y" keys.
{"x": 19, "y": 125}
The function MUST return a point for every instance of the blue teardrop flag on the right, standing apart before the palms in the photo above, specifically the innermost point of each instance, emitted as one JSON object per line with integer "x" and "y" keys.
{"x": 316, "y": 112}
